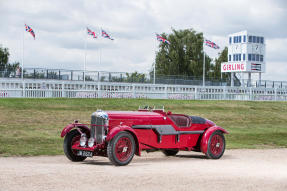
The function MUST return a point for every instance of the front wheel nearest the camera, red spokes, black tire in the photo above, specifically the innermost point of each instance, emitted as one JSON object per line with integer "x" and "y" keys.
{"x": 113, "y": 150}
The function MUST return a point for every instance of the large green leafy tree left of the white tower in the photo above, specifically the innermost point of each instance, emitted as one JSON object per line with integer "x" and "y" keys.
{"x": 184, "y": 55}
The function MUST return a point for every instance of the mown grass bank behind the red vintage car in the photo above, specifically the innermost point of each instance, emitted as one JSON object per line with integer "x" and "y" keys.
{"x": 33, "y": 126}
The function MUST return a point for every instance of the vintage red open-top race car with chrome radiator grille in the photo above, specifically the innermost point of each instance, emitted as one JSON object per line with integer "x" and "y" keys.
{"x": 119, "y": 135}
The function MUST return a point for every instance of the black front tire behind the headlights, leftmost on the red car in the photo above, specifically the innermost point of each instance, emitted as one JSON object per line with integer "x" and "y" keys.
{"x": 68, "y": 146}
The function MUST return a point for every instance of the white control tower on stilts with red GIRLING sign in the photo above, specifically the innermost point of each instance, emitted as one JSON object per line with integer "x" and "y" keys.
{"x": 246, "y": 54}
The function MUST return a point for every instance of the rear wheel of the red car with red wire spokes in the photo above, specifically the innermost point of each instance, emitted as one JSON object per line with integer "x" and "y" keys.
{"x": 215, "y": 149}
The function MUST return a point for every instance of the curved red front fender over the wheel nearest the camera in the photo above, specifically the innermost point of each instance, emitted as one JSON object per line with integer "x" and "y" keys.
{"x": 114, "y": 131}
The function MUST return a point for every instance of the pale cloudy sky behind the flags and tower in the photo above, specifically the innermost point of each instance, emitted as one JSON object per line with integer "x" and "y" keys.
{"x": 60, "y": 28}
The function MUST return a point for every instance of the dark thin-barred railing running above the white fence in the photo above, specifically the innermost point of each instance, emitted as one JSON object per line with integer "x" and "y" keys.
{"x": 102, "y": 76}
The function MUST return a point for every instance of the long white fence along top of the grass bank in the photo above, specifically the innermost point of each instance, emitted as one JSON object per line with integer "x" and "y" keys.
{"x": 76, "y": 89}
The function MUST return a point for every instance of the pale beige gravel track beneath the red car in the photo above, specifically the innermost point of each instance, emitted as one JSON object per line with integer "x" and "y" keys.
{"x": 236, "y": 170}
